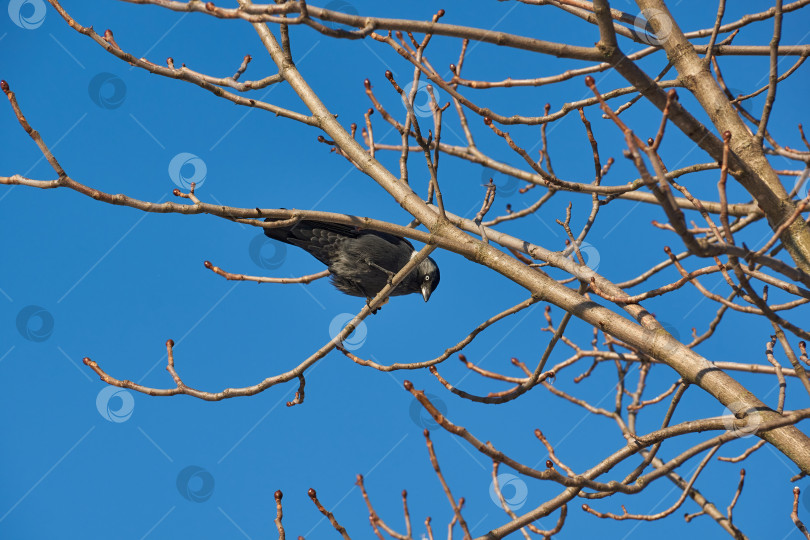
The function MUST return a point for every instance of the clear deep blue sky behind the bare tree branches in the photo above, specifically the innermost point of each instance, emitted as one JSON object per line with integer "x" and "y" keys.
{"x": 81, "y": 278}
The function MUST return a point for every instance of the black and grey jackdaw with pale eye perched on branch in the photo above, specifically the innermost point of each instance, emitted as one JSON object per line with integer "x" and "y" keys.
{"x": 361, "y": 262}
